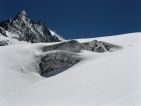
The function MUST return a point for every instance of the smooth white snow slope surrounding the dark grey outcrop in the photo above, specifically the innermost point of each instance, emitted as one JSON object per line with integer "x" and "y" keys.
{"x": 101, "y": 79}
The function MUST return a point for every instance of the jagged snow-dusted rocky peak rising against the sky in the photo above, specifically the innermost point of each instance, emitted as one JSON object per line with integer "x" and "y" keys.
{"x": 23, "y": 28}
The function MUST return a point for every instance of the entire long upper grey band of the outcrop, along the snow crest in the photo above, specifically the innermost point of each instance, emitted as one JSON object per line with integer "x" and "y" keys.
{"x": 75, "y": 46}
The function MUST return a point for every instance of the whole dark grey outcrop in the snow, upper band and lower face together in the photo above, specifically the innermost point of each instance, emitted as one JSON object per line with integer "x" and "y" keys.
{"x": 61, "y": 56}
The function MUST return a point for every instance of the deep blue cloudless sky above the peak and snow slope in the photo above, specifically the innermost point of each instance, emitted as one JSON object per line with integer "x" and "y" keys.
{"x": 80, "y": 18}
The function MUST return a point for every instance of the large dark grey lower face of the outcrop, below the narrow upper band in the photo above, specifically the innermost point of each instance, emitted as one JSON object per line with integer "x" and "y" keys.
{"x": 55, "y": 62}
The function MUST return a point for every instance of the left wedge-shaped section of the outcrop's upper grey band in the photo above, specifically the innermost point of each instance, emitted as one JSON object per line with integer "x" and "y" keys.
{"x": 72, "y": 46}
